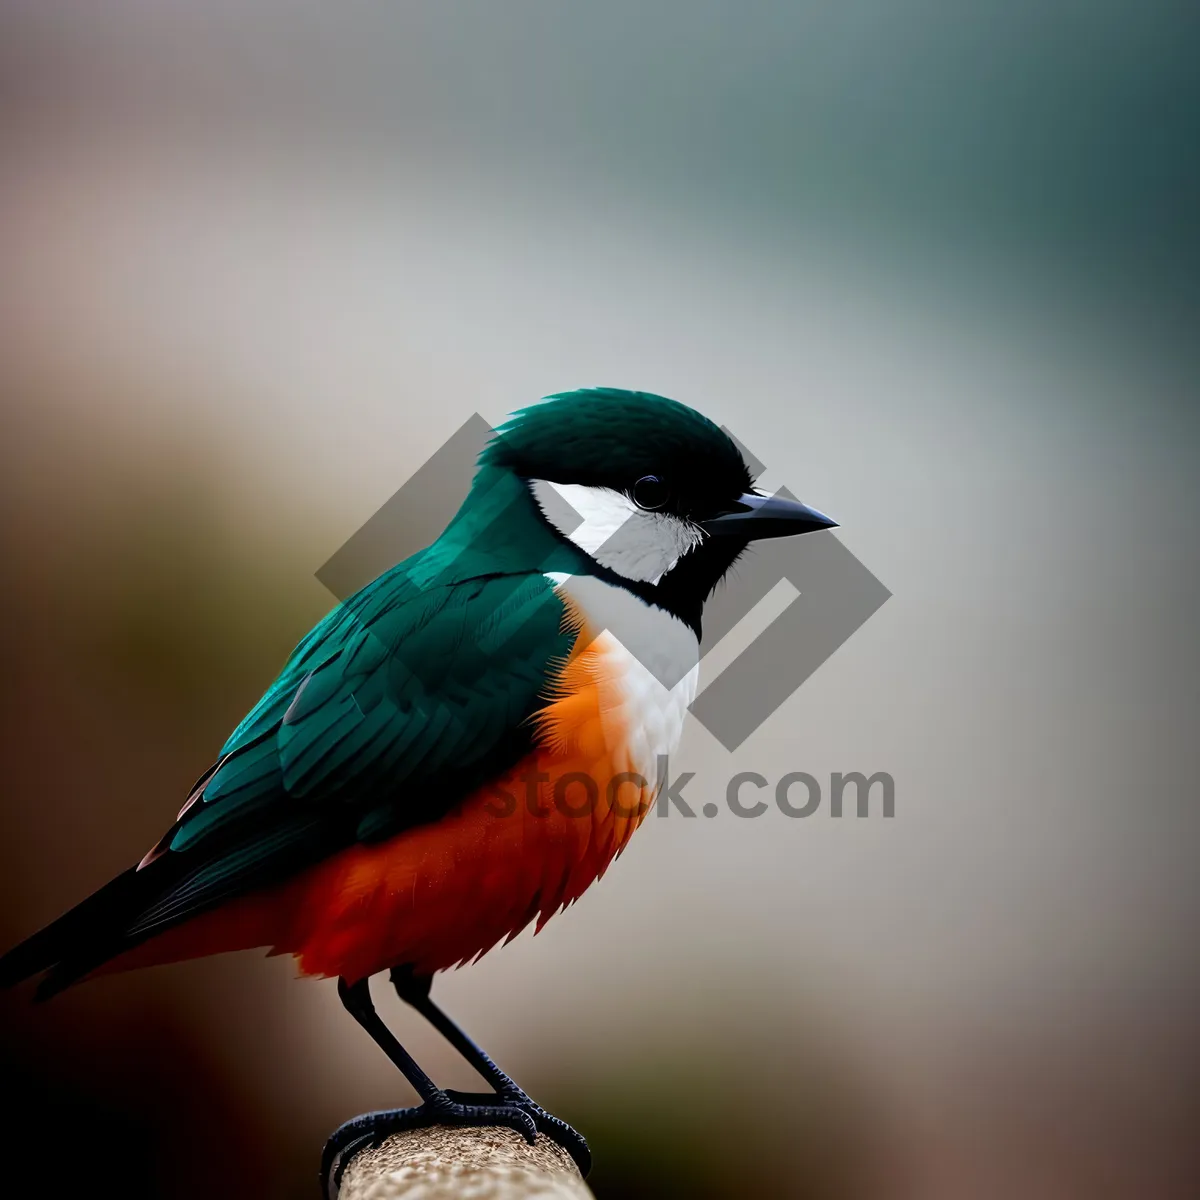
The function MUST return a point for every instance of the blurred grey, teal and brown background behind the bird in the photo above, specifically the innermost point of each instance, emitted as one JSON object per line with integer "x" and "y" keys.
{"x": 937, "y": 265}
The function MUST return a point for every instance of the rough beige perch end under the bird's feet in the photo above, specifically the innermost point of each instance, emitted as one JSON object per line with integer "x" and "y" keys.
{"x": 442, "y": 1163}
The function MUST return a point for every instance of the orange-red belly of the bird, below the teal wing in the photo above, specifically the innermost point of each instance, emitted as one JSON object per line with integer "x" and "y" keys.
{"x": 442, "y": 895}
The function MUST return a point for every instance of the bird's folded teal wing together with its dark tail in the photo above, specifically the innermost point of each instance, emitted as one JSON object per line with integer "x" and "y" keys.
{"x": 398, "y": 705}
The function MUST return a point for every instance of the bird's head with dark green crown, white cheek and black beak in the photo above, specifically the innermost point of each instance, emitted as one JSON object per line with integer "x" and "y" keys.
{"x": 649, "y": 489}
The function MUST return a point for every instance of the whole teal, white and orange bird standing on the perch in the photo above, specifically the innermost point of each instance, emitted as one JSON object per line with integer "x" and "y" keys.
{"x": 461, "y": 748}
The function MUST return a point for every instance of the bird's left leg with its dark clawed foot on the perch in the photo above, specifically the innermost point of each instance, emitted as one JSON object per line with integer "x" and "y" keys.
{"x": 437, "y": 1107}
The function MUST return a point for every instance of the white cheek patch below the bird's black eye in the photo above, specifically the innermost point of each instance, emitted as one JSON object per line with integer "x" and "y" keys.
{"x": 615, "y": 532}
